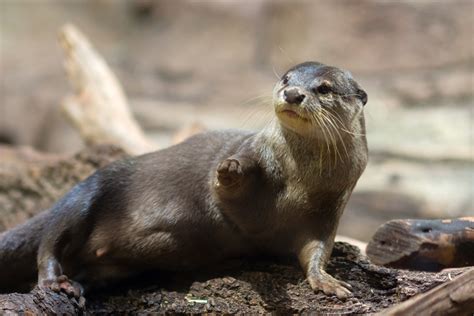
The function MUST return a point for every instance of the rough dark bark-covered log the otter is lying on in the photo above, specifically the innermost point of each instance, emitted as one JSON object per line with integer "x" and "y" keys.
{"x": 250, "y": 286}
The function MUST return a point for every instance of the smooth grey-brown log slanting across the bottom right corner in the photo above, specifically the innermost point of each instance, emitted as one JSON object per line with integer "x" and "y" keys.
{"x": 455, "y": 297}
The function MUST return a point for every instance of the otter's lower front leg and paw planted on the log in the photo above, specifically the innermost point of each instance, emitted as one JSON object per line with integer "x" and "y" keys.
{"x": 313, "y": 257}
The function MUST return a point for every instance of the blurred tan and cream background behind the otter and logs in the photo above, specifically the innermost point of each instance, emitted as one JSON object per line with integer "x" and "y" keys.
{"x": 214, "y": 63}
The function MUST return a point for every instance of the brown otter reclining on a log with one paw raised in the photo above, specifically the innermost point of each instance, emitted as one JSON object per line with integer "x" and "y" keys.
{"x": 214, "y": 196}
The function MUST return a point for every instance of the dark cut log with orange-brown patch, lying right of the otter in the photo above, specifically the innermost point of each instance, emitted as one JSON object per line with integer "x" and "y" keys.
{"x": 429, "y": 245}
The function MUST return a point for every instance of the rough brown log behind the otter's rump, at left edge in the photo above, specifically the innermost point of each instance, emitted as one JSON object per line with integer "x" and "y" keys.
{"x": 31, "y": 182}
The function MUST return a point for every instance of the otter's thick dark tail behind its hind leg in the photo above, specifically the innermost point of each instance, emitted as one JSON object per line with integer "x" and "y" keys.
{"x": 18, "y": 251}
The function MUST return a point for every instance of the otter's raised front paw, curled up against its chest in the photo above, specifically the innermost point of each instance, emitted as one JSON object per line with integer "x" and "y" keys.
{"x": 236, "y": 176}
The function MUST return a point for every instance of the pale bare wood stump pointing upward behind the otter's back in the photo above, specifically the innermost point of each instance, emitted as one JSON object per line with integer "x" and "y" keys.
{"x": 98, "y": 108}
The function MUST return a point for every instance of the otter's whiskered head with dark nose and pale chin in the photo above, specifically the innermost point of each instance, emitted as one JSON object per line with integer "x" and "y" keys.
{"x": 311, "y": 98}
